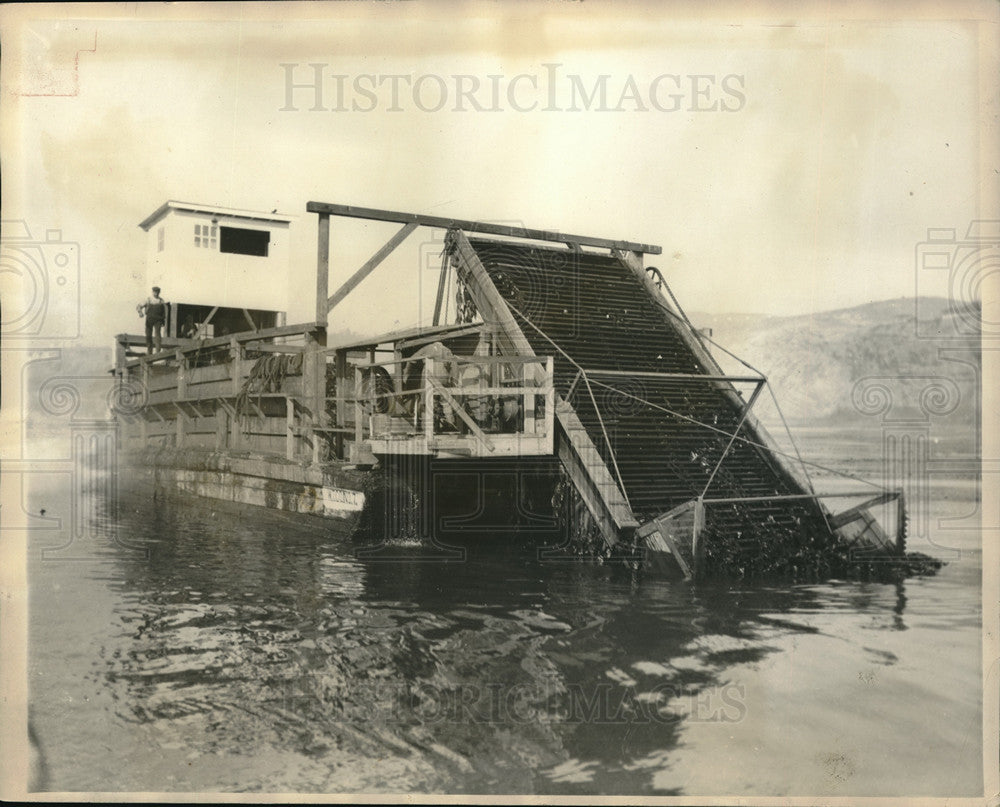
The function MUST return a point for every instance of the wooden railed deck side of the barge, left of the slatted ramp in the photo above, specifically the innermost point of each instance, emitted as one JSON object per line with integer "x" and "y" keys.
{"x": 207, "y": 392}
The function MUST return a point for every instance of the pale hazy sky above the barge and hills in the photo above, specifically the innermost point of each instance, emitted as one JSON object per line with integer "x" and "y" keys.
{"x": 786, "y": 164}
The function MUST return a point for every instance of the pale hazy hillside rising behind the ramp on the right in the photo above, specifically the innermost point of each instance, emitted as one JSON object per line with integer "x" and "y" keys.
{"x": 815, "y": 361}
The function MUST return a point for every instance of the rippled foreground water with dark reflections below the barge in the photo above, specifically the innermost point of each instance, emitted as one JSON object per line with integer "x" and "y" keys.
{"x": 249, "y": 650}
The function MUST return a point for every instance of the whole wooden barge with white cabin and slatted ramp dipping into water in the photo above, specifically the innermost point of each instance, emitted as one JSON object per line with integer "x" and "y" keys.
{"x": 559, "y": 383}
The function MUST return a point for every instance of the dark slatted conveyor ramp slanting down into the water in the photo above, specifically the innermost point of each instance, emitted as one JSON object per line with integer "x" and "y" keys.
{"x": 645, "y": 413}
